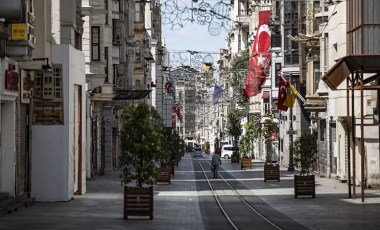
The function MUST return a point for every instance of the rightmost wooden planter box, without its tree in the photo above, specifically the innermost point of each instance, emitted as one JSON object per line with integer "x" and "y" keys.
{"x": 304, "y": 186}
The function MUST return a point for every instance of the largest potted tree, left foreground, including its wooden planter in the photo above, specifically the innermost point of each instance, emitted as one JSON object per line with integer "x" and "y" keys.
{"x": 141, "y": 138}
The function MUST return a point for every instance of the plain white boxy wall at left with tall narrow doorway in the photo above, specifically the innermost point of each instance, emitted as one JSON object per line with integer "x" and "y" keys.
{"x": 53, "y": 146}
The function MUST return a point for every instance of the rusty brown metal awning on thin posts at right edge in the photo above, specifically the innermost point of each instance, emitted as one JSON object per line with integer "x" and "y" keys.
{"x": 369, "y": 63}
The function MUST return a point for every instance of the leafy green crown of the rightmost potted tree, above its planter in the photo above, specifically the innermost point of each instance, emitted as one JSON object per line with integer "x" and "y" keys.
{"x": 305, "y": 152}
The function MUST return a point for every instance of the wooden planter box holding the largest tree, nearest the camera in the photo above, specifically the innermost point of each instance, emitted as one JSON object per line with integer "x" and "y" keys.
{"x": 138, "y": 202}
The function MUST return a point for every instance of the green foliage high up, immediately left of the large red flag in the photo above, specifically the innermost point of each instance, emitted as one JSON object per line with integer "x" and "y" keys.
{"x": 239, "y": 67}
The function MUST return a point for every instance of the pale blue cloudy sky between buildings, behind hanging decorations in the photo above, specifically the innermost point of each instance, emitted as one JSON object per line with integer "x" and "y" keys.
{"x": 192, "y": 36}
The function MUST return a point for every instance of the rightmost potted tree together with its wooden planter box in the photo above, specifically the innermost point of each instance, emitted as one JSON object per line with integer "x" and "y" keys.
{"x": 304, "y": 152}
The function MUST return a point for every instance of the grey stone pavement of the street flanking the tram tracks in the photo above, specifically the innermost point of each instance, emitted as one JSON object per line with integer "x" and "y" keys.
{"x": 179, "y": 205}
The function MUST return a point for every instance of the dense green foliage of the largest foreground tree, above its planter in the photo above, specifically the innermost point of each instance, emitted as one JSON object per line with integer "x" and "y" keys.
{"x": 142, "y": 137}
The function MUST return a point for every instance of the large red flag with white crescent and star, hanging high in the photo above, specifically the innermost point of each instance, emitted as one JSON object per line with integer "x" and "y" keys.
{"x": 259, "y": 62}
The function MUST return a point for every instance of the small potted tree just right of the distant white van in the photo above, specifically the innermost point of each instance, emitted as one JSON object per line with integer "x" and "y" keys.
{"x": 234, "y": 129}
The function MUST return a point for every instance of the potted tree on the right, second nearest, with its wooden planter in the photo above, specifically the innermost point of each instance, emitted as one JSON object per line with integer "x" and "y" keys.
{"x": 271, "y": 167}
